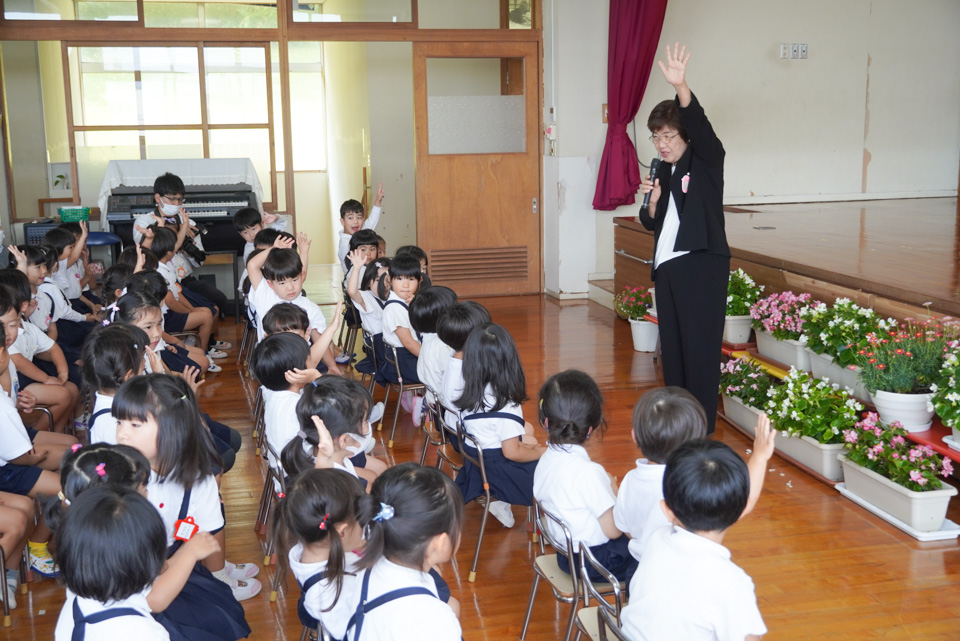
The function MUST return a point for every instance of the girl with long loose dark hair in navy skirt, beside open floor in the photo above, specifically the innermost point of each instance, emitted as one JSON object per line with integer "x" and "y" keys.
{"x": 490, "y": 412}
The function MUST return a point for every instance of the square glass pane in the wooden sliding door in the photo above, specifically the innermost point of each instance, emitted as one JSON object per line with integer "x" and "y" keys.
{"x": 475, "y": 105}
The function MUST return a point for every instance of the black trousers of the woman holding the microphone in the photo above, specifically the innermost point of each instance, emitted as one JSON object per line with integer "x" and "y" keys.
{"x": 691, "y": 293}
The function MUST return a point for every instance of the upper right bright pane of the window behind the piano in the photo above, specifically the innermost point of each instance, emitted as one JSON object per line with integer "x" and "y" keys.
{"x": 236, "y": 85}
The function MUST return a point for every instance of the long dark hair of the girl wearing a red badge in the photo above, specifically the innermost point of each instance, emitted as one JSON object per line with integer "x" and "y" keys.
{"x": 185, "y": 449}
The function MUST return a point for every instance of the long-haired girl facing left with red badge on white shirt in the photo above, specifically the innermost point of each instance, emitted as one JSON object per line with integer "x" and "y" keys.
{"x": 158, "y": 415}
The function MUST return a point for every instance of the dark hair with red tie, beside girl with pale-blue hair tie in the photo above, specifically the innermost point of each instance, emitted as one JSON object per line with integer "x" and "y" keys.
{"x": 315, "y": 502}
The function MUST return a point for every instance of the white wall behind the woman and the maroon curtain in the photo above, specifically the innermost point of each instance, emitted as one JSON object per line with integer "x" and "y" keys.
{"x": 874, "y": 112}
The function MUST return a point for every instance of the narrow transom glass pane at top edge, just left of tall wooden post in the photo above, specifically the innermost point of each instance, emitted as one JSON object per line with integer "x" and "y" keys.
{"x": 254, "y": 14}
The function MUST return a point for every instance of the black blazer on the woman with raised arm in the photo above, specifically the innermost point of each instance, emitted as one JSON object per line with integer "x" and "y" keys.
{"x": 701, "y": 208}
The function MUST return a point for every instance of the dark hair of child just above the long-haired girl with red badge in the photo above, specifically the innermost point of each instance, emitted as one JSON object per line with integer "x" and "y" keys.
{"x": 109, "y": 353}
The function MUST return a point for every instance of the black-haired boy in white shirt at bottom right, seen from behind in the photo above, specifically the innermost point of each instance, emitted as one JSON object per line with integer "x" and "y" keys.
{"x": 686, "y": 586}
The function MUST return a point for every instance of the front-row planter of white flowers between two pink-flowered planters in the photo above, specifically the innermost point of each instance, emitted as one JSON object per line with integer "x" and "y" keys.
{"x": 813, "y": 413}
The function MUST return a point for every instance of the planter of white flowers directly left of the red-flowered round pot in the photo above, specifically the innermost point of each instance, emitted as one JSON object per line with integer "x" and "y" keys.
{"x": 833, "y": 336}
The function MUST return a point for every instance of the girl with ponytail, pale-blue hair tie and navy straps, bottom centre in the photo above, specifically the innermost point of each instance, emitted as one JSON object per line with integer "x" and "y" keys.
{"x": 416, "y": 527}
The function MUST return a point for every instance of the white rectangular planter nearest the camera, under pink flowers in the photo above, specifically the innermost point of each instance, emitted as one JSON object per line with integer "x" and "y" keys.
{"x": 923, "y": 511}
